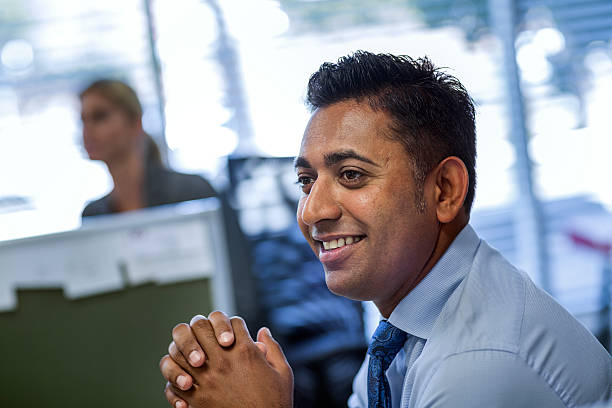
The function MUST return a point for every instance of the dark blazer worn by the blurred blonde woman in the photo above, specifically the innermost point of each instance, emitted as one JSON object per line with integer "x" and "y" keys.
{"x": 162, "y": 186}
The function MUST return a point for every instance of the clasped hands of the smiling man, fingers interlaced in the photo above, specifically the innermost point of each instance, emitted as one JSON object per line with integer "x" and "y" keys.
{"x": 214, "y": 362}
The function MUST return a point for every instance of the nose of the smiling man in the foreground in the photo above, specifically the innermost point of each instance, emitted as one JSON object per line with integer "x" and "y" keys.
{"x": 320, "y": 203}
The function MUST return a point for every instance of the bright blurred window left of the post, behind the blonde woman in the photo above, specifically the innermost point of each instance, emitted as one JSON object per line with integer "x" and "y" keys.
{"x": 49, "y": 51}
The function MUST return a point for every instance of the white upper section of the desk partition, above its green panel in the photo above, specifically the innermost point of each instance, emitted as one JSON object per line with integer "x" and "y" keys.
{"x": 165, "y": 244}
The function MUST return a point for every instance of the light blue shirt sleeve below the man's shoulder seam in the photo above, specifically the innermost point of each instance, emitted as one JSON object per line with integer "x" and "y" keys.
{"x": 495, "y": 379}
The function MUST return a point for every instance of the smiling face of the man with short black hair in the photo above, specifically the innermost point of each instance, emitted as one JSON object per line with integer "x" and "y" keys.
{"x": 358, "y": 209}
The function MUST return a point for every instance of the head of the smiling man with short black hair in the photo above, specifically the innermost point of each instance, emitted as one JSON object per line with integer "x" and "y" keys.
{"x": 387, "y": 160}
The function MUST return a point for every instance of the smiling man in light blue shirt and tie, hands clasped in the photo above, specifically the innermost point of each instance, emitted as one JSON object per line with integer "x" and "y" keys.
{"x": 387, "y": 170}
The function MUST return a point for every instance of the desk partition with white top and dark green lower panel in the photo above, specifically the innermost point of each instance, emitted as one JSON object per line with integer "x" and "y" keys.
{"x": 85, "y": 315}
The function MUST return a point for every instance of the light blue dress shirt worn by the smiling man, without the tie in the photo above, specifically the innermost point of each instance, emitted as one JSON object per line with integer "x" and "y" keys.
{"x": 481, "y": 334}
